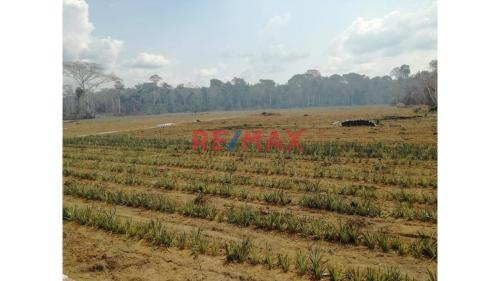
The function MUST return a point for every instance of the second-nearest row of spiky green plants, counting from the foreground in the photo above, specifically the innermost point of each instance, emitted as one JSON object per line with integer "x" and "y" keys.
{"x": 344, "y": 233}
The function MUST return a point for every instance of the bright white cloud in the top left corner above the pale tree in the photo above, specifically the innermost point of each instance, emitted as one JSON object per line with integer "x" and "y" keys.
{"x": 78, "y": 41}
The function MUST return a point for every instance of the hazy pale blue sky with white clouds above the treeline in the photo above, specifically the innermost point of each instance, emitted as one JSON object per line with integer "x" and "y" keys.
{"x": 191, "y": 42}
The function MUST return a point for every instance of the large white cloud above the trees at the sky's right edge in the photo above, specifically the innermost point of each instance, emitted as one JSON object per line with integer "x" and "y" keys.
{"x": 374, "y": 46}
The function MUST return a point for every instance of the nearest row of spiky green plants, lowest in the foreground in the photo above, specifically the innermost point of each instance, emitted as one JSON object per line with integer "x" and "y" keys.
{"x": 312, "y": 262}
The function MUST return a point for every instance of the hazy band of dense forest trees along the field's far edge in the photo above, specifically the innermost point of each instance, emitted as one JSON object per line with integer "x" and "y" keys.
{"x": 88, "y": 96}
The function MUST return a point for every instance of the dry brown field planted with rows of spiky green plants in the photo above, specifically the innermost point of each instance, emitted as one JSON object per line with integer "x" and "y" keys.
{"x": 359, "y": 204}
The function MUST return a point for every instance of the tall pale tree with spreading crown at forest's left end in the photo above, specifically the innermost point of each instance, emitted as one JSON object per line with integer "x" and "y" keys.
{"x": 88, "y": 76}
